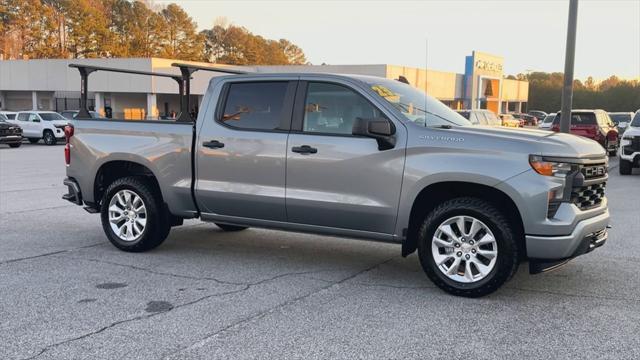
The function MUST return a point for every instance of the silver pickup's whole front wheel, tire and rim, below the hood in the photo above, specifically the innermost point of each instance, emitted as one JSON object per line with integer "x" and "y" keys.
{"x": 467, "y": 247}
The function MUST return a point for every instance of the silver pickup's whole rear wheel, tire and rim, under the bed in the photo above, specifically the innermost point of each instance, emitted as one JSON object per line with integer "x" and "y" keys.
{"x": 132, "y": 215}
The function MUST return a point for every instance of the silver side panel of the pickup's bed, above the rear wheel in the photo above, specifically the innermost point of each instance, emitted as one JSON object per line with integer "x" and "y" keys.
{"x": 164, "y": 147}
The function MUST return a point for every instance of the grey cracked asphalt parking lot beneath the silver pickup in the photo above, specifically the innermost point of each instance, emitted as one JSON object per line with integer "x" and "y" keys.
{"x": 65, "y": 292}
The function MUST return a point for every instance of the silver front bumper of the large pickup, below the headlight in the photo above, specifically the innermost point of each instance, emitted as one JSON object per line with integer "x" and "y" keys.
{"x": 586, "y": 236}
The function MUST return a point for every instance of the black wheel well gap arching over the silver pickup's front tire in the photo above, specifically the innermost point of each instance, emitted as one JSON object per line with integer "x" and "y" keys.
{"x": 434, "y": 194}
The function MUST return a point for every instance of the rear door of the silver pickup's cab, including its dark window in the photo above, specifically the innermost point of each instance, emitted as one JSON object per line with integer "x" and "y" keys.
{"x": 241, "y": 150}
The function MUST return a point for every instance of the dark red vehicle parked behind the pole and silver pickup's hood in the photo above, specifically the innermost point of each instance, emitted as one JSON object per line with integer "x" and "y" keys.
{"x": 593, "y": 124}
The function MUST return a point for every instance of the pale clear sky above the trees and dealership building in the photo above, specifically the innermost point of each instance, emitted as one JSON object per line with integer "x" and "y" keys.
{"x": 530, "y": 35}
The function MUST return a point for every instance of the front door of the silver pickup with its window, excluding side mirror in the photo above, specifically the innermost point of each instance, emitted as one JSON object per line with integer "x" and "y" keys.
{"x": 335, "y": 179}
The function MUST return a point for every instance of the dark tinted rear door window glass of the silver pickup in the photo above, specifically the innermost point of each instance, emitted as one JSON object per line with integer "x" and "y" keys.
{"x": 258, "y": 106}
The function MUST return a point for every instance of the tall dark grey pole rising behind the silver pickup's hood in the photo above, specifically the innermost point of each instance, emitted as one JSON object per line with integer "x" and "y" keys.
{"x": 567, "y": 89}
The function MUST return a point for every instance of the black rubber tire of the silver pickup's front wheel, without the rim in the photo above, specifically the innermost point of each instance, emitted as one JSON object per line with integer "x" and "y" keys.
{"x": 507, "y": 261}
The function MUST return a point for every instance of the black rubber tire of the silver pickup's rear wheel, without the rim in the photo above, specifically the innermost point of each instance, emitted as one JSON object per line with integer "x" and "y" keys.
{"x": 157, "y": 225}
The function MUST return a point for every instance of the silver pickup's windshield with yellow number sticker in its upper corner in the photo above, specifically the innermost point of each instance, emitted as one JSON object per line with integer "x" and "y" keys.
{"x": 415, "y": 105}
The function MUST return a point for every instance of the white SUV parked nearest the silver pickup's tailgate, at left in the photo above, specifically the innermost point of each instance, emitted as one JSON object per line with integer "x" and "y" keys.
{"x": 36, "y": 125}
